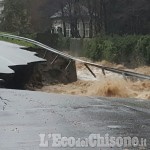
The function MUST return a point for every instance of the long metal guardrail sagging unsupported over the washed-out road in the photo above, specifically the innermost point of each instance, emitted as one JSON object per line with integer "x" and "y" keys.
{"x": 86, "y": 63}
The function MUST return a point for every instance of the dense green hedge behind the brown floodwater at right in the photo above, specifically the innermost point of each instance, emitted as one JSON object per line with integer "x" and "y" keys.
{"x": 128, "y": 49}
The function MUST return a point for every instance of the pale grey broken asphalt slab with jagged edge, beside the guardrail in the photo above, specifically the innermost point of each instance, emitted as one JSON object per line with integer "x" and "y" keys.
{"x": 13, "y": 55}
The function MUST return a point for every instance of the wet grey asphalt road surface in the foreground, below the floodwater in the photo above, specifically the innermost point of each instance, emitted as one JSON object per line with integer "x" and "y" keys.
{"x": 24, "y": 115}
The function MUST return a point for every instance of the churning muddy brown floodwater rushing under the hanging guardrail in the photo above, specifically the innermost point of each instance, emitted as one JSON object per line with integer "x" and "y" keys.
{"x": 111, "y": 85}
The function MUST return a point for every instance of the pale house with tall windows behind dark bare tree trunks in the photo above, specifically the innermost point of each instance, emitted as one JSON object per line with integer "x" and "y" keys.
{"x": 57, "y": 23}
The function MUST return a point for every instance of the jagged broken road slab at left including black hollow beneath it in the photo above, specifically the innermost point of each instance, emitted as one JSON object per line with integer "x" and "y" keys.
{"x": 16, "y": 65}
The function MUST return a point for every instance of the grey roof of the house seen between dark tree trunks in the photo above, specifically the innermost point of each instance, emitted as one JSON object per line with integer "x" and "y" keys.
{"x": 58, "y": 14}
